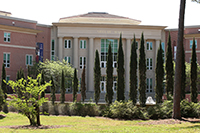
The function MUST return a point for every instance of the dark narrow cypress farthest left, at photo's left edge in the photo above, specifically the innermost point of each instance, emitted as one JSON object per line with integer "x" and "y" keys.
{"x": 3, "y": 84}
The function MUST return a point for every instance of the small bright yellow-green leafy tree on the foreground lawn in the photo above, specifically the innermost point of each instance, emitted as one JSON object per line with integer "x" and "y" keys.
{"x": 29, "y": 106}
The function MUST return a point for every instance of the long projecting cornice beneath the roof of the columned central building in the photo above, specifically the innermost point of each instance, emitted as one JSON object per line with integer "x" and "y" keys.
{"x": 108, "y": 25}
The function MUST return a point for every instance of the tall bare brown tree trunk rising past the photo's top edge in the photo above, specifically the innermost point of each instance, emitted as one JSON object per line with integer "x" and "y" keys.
{"x": 177, "y": 85}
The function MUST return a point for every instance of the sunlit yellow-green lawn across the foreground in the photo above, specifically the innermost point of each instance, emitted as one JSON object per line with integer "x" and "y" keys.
{"x": 93, "y": 125}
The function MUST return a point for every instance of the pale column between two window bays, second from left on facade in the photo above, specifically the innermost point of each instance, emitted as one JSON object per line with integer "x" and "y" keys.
{"x": 75, "y": 52}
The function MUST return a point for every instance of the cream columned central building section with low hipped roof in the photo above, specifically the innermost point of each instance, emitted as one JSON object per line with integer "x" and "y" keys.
{"x": 76, "y": 38}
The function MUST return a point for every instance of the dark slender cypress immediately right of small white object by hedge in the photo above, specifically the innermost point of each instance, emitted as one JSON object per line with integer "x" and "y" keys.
{"x": 159, "y": 75}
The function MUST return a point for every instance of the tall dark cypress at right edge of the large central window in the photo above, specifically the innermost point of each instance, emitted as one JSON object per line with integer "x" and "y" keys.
{"x": 120, "y": 72}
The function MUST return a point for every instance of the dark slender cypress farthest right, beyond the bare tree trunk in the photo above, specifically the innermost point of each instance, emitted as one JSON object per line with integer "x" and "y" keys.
{"x": 193, "y": 75}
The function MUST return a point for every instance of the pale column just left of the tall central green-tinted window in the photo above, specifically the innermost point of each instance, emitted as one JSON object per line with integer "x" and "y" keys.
{"x": 90, "y": 63}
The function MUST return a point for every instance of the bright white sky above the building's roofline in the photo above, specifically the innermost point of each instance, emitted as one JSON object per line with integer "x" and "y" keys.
{"x": 150, "y": 12}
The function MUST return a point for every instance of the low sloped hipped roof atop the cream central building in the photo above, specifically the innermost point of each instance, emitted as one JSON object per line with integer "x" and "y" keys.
{"x": 99, "y": 18}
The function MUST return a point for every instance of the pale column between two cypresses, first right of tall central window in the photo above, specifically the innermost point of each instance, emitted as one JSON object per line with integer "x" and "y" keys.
{"x": 127, "y": 61}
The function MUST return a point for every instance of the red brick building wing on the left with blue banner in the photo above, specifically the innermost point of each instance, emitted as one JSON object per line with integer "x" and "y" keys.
{"x": 22, "y": 41}
